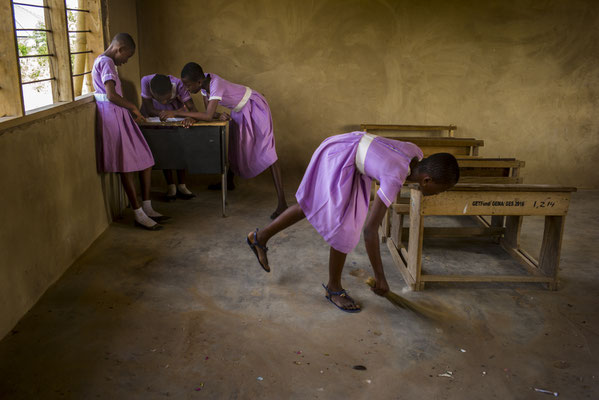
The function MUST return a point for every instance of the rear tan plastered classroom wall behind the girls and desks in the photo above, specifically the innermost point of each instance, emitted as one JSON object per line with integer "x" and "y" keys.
{"x": 522, "y": 75}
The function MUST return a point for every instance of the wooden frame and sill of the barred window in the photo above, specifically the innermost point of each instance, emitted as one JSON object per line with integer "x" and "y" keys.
{"x": 12, "y": 107}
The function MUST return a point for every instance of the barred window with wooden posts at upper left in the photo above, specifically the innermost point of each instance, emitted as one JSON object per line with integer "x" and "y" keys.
{"x": 52, "y": 55}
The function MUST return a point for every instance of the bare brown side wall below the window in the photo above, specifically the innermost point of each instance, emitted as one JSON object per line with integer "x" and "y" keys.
{"x": 52, "y": 206}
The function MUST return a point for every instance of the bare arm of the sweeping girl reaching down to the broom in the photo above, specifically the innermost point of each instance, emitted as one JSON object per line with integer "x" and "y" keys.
{"x": 371, "y": 239}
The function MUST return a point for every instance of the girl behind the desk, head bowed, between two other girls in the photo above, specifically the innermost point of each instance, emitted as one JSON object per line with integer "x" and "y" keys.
{"x": 159, "y": 93}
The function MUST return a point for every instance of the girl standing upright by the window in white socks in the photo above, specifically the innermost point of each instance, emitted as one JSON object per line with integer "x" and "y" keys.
{"x": 124, "y": 149}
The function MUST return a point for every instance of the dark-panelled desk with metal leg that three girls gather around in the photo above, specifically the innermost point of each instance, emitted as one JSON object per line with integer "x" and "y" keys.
{"x": 201, "y": 148}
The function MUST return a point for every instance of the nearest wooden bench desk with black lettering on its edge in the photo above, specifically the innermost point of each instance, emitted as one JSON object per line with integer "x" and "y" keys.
{"x": 509, "y": 202}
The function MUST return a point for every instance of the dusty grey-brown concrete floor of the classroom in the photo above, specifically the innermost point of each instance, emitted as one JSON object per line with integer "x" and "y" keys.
{"x": 188, "y": 313}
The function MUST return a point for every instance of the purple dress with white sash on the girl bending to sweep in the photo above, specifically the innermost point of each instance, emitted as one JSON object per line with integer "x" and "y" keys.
{"x": 335, "y": 191}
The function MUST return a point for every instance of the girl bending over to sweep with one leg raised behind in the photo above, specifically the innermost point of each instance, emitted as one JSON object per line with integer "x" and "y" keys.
{"x": 334, "y": 196}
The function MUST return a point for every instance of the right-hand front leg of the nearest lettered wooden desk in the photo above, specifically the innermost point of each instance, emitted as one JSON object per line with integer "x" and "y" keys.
{"x": 551, "y": 247}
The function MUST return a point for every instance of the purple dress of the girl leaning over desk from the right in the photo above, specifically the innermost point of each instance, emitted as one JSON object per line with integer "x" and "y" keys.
{"x": 251, "y": 137}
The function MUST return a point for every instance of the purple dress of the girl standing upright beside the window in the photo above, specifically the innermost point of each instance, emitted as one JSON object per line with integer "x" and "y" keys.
{"x": 123, "y": 148}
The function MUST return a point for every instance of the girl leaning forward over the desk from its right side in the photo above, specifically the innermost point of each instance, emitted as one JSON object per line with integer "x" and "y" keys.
{"x": 251, "y": 137}
